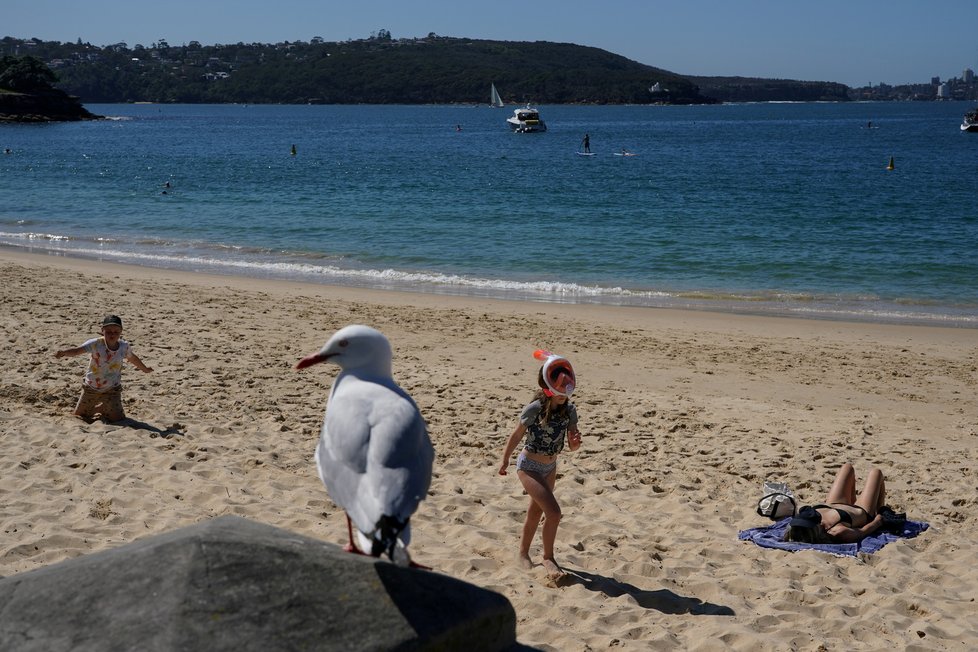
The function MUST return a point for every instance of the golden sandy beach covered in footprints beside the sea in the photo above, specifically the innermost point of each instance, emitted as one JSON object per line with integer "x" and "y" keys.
{"x": 684, "y": 415}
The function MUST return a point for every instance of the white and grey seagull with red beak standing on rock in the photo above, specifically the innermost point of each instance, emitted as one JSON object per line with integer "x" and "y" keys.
{"x": 374, "y": 454}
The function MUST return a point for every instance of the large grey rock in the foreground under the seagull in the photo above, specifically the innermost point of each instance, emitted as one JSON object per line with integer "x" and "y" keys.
{"x": 233, "y": 584}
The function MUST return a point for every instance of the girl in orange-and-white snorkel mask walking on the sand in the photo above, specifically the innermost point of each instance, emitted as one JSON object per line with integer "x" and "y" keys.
{"x": 545, "y": 422}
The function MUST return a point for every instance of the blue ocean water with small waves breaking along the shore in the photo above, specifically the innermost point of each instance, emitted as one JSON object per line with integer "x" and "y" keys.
{"x": 764, "y": 208}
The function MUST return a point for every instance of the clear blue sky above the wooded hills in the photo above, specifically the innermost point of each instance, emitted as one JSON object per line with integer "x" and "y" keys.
{"x": 854, "y": 42}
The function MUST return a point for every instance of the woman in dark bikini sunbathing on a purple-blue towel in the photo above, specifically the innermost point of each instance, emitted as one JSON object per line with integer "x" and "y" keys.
{"x": 843, "y": 518}
